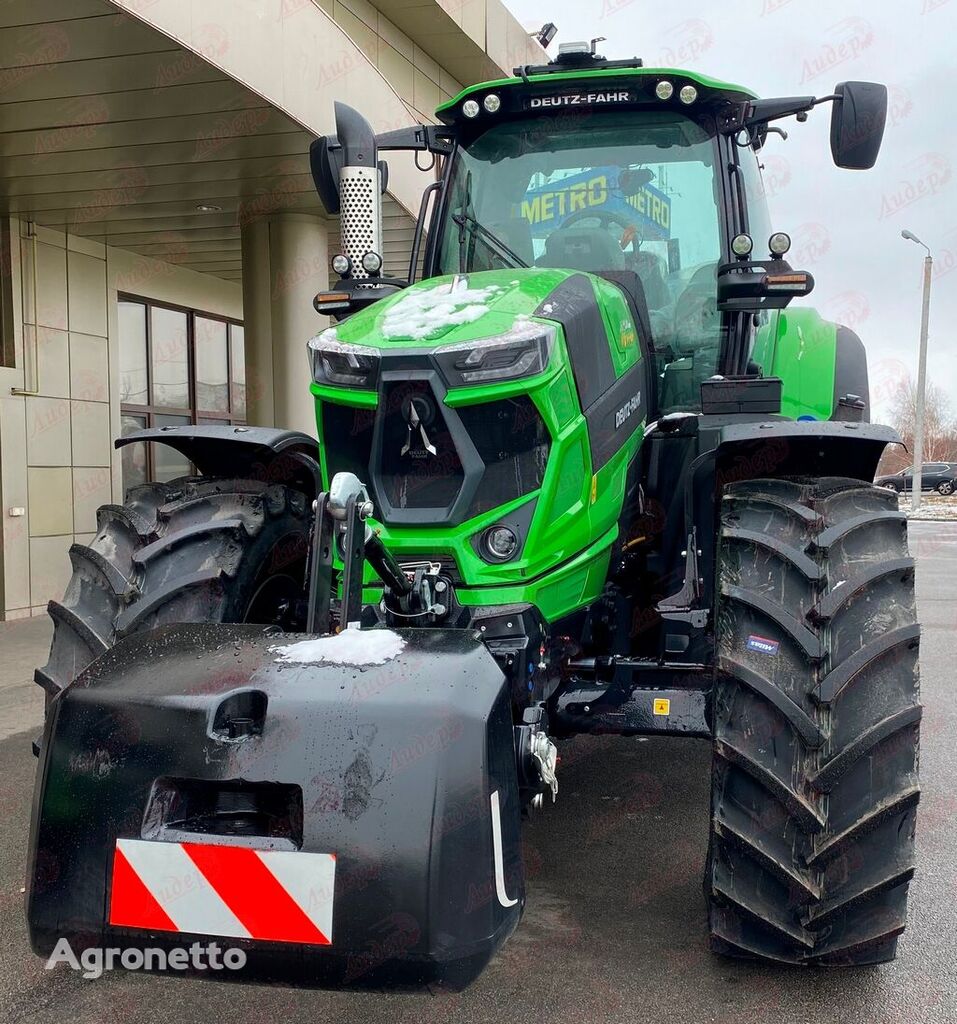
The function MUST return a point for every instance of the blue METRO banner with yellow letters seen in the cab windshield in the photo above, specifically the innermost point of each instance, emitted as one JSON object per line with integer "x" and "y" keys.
{"x": 596, "y": 192}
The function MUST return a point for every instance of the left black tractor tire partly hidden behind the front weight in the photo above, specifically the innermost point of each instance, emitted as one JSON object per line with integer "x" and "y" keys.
{"x": 194, "y": 550}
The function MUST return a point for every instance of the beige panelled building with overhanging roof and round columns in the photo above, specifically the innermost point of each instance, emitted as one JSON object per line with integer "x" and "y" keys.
{"x": 161, "y": 237}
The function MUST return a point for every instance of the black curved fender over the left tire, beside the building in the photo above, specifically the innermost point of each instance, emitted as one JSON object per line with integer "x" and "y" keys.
{"x": 260, "y": 453}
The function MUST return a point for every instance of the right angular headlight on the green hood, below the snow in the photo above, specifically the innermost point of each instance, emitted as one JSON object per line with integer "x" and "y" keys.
{"x": 523, "y": 353}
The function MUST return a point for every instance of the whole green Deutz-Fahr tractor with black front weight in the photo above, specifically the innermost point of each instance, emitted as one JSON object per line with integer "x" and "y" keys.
{"x": 589, "y": 475}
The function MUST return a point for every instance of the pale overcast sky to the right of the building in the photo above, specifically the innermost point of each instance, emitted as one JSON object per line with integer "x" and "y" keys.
{"x": 846, "y": 226}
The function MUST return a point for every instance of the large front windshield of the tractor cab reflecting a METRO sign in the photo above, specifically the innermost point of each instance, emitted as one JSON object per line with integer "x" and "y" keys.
{"x": 603, "y": 191}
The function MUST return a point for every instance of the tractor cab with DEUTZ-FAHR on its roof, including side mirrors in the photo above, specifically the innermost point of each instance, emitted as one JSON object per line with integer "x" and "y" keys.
{"x": 648, "y": 178}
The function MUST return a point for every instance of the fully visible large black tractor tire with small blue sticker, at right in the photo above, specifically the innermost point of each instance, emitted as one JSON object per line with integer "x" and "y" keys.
{"x": 816, "y": 724}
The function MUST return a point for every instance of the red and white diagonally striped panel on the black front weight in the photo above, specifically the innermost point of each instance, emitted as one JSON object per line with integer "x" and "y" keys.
{"x": 209, "y": 889}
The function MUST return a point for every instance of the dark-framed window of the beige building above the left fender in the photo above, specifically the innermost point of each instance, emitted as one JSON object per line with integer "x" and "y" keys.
{"x": 177, "y": 367}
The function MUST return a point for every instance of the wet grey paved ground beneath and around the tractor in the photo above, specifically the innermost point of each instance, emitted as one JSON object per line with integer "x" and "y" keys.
{"x": 615, "y": 929}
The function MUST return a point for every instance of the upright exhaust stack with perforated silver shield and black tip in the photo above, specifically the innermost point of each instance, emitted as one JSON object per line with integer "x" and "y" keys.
{"x": 360, "y": 189}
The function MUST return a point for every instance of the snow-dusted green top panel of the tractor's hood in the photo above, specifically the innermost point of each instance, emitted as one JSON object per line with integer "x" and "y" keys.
{"x": 450, "y": 310}
